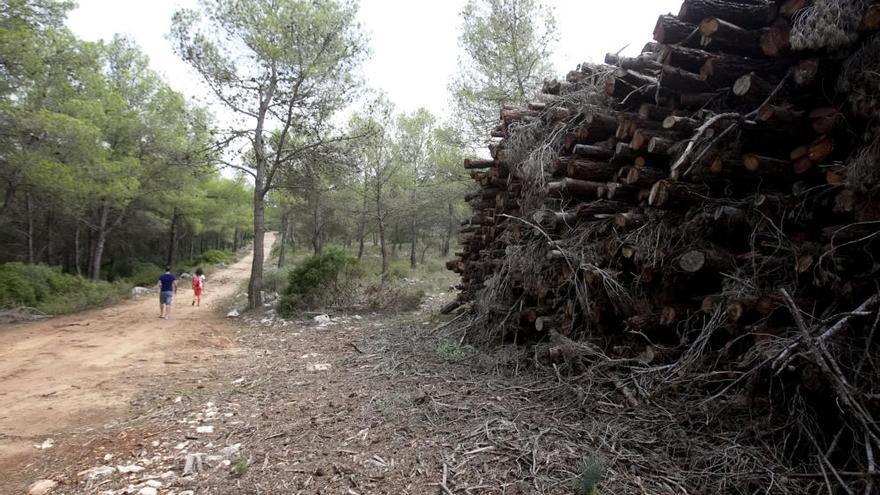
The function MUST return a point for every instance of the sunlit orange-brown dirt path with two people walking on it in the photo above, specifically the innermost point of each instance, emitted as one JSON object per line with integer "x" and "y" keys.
{"x": 83, "y": 370}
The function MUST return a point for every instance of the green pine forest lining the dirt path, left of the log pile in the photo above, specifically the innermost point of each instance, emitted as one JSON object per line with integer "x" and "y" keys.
{"x": 108, "y": 173}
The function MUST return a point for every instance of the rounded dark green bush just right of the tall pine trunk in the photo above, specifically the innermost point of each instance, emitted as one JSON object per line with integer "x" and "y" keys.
{"x": 325, "y": 280}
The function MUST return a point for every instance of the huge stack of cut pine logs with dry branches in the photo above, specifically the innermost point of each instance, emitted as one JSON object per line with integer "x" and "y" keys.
{"x": 710, "y": 203}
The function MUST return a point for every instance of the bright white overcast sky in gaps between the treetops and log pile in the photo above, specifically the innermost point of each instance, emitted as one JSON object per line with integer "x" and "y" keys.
{"x": 414, "y": 42}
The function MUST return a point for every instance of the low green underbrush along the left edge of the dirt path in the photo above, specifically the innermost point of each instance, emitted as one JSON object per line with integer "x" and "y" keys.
{"x": 50, "y": 291}
